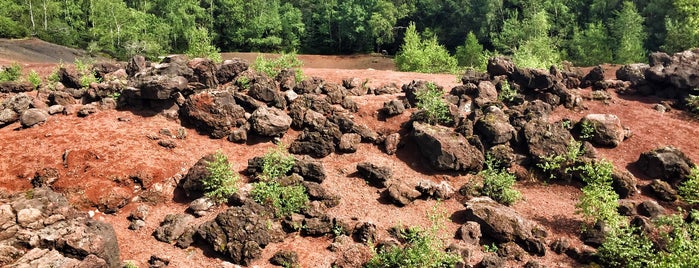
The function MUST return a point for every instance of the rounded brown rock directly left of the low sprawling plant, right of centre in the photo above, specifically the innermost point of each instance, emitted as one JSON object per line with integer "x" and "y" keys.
{"x": 546, "y": 139}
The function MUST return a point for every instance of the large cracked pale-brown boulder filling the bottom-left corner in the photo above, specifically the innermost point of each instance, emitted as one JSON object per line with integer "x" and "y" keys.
{"x": 44, "y": 230}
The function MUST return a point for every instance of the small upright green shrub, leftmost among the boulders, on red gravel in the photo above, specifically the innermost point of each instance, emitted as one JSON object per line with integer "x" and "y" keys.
{"x": 222, "y": 181}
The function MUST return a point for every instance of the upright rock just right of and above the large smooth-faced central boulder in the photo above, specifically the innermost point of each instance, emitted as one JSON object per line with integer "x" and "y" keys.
{"x": 494, "y": 127}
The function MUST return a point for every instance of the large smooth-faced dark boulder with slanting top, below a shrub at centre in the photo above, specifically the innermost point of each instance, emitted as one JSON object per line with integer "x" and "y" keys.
{"x": 445, "y": 149}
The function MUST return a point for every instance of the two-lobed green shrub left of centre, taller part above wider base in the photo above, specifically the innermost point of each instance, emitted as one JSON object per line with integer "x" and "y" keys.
{"x": 285, "y": 199}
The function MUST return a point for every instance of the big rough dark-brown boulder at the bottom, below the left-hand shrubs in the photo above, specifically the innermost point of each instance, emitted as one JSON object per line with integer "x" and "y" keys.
{"x": 239, "y": 233}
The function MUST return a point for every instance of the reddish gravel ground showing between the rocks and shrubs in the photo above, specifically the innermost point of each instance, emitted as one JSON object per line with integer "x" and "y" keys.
{"x": 106, "y": 147}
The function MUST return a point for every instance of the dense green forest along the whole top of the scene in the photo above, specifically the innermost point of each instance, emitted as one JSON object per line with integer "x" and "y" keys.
{"x": 585, "y": 32}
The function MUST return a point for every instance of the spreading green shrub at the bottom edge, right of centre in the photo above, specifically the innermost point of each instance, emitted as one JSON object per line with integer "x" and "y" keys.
{"x": 421, "y": 248}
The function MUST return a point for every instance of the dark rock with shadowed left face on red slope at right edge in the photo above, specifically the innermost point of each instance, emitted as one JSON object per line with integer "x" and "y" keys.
{"x": 665, "y": 163}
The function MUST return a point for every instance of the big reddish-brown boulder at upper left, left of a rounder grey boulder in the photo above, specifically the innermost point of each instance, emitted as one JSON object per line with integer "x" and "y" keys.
{"x": 213, "y": 113}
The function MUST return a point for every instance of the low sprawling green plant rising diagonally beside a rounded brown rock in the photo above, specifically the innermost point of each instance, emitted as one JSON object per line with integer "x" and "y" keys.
{"x": 555, "y": 165}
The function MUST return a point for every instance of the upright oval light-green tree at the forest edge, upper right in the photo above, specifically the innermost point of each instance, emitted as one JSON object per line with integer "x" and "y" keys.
{"x": 627, "y": 30}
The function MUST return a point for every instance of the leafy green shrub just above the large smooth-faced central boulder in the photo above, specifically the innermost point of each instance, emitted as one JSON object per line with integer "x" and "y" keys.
{"x": 431, "y": 101}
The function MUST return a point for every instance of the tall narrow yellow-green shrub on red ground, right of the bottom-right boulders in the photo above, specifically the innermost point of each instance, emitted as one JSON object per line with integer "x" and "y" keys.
{"x": 599, "y": 202}
